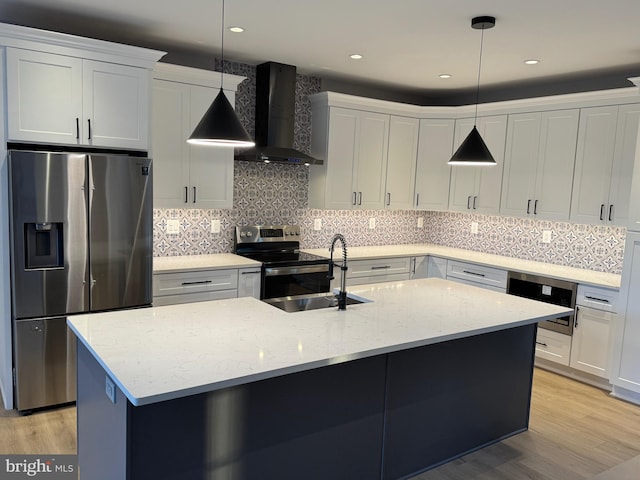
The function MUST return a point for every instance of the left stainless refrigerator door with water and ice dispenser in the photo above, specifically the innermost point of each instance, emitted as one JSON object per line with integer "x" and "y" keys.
{"x": 49, "y": 233}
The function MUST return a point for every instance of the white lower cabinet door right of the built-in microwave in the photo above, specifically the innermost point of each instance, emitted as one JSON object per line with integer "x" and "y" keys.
{"x": 590, "y": 341}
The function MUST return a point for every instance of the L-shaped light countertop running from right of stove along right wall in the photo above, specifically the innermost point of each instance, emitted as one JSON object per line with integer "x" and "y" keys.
{"x": 578, "y": 275}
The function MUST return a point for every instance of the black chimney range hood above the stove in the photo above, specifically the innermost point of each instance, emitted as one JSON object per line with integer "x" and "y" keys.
{"x": 275, "y": 112}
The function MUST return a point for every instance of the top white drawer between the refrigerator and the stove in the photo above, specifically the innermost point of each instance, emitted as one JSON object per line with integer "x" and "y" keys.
{"x": 194, "y": 282}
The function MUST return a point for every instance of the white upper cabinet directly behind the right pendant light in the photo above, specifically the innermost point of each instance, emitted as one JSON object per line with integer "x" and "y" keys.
{"x": 477, "y": 189}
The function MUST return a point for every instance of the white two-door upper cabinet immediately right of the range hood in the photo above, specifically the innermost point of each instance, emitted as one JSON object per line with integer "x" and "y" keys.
{"x": 354, "y": 146}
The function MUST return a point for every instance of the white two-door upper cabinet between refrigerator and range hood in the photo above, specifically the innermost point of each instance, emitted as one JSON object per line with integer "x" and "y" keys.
{"x": 187, "y": 176}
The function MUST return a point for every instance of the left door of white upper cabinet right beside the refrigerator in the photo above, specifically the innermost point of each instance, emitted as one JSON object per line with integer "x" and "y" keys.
{"x": 169, "y": 149}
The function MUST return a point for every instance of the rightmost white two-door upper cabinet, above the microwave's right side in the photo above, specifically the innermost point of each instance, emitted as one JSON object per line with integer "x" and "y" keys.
{"x": 604, "y": 164}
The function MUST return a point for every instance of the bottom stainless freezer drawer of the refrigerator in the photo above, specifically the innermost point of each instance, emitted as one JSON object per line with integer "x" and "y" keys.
{"x": 45, "y": 362}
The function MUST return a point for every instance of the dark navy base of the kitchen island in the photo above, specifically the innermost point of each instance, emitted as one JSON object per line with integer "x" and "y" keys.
{"x": 387, "y": 416}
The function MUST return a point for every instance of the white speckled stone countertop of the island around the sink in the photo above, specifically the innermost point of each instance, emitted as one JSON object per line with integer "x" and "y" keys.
{"x": 160, "y": 353}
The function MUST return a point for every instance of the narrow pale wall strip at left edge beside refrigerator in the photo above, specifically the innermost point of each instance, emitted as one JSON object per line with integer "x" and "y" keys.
{"x": 6, "y": 362}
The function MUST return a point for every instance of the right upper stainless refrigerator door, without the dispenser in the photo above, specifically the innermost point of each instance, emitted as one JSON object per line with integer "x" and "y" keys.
{"x": 120, "y": 231}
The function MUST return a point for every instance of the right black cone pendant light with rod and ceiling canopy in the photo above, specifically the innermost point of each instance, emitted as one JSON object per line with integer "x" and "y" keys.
{"x": 473, "y": 151}
